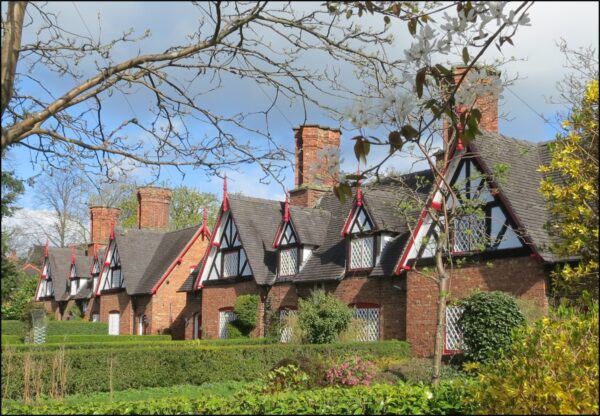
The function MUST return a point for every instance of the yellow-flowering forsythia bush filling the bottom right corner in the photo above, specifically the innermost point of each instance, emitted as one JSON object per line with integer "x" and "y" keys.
{"x": 552, "y": 368}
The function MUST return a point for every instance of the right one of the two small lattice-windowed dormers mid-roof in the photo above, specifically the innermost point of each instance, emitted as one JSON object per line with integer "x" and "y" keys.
{"x": 361, "y": 240}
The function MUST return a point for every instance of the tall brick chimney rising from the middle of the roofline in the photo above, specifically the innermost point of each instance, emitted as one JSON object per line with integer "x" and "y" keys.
{"x": 317, "y": 163}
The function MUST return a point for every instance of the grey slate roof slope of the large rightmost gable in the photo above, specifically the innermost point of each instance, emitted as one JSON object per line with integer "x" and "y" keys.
{"x": 522, "y": 182}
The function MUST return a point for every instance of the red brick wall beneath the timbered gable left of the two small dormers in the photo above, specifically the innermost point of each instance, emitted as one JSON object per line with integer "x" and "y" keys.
{"x": 215, "y": 298}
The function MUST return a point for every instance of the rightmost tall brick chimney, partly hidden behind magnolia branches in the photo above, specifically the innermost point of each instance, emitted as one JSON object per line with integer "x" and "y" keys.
{"x": 486, "y": 102}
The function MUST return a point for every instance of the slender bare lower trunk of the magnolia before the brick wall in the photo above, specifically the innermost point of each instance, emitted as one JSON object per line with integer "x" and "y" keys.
{"x": 441, "y": 312}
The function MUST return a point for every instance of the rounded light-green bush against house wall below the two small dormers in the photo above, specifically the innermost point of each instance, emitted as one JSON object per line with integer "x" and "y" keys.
{"x": 322, "y": 317}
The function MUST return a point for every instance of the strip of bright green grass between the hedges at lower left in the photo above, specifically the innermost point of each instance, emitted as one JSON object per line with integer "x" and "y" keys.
{"x": 222, "y": 389}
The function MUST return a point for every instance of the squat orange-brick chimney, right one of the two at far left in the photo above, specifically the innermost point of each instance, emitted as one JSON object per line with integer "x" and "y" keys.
{"x": 153, "y": 208}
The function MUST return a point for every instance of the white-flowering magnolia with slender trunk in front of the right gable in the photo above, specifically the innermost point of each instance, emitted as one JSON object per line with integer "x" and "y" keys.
{"x": 411, "y": 103}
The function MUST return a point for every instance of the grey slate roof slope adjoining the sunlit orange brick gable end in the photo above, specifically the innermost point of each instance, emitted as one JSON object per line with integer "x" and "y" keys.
{"x": 146, "y": 255}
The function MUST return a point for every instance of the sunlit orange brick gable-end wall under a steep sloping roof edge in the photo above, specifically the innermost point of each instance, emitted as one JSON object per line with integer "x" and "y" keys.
{"x": 169, "y": 305}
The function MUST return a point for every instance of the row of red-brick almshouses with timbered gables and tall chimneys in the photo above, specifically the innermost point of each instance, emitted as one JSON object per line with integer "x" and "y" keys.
{"x": 361, "y": 250}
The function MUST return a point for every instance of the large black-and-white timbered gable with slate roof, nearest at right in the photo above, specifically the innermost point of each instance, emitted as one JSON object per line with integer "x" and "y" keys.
{"x": 498, "y": 209}
